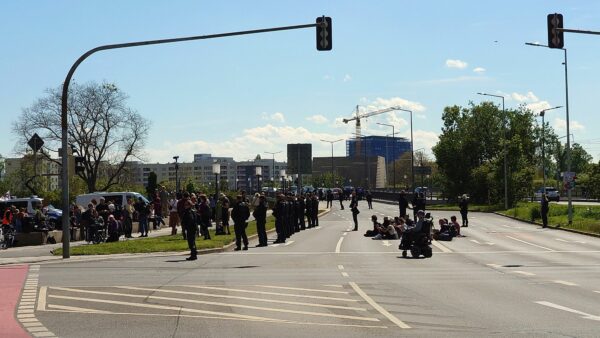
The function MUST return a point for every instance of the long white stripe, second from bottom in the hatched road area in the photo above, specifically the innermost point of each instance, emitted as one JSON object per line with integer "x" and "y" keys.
{"x": 232, "y": 305}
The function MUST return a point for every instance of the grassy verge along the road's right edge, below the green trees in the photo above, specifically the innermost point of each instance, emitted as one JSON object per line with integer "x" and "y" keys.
{"x": 585, "y": 218}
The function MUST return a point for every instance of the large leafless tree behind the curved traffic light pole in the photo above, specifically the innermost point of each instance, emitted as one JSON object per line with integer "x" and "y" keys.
{"x": 102, "y": 129}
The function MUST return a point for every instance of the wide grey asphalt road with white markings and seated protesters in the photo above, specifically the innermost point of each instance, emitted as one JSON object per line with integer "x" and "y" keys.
{"x": 504, "y": 279}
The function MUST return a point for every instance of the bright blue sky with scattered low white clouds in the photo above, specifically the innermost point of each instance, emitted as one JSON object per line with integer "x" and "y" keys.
{"x": 245, "y": 95}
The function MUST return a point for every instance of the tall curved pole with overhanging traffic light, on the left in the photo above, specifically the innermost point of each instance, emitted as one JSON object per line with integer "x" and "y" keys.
{"x": 322, "y": 23}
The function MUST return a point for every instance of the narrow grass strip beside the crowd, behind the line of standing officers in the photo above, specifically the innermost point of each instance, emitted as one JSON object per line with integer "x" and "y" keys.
{"x": 162, "y": 243}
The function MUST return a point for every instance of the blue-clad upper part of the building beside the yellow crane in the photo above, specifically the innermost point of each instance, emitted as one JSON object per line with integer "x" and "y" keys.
{"x": 390, "y": 148}
